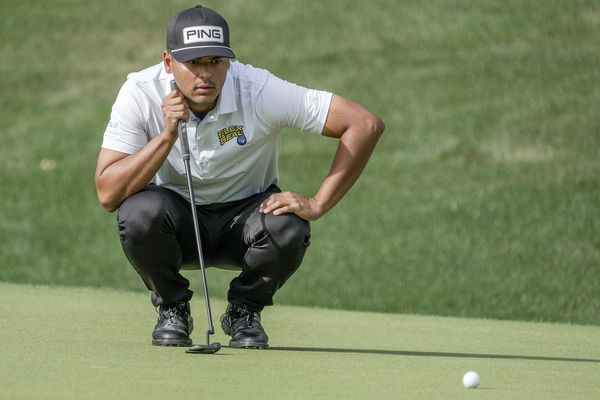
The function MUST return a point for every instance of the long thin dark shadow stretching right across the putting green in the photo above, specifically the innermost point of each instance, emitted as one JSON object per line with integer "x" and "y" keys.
{"x": 431, "y": 354}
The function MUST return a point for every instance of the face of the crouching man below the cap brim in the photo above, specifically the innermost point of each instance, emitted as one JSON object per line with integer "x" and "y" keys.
{"x": 199, "y": 80}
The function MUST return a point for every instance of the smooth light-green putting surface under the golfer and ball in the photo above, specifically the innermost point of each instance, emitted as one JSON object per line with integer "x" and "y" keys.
{"x": 67, "y": 343}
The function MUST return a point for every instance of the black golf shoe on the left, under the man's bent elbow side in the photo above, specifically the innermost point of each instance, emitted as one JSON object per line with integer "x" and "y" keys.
{"x": 174, "y": 326}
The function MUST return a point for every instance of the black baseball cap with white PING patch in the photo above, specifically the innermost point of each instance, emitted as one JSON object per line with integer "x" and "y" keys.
{"x": 198, "y": 32}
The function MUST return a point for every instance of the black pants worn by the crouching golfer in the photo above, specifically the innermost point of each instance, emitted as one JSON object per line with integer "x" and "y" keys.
{"x": 157, "y": 235}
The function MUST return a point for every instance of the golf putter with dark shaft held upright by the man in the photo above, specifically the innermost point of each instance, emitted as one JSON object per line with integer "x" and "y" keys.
{"x": 208, "y": 348}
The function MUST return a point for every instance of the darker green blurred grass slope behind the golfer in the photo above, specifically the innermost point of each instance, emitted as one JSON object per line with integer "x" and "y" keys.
{"x": 481, "y": 199}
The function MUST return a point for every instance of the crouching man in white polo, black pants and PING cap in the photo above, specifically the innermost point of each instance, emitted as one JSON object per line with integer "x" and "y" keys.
{"x": 235, "y": 114}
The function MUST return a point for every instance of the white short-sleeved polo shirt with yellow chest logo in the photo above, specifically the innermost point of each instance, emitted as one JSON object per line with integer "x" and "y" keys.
{"x": 235, "y": 148}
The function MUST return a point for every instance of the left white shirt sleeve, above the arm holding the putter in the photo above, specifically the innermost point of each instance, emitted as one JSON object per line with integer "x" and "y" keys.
{"x": 126, "y": 131}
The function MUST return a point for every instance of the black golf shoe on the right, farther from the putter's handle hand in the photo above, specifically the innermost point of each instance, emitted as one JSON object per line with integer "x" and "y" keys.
{"x": 243, "y": 325}
